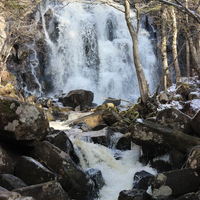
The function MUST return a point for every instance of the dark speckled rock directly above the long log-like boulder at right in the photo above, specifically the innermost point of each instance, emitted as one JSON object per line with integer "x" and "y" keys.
{"x": 174, "y": 119}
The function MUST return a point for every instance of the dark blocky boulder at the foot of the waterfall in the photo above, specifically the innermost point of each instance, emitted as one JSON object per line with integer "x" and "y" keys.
{"x": 77, "y": 97}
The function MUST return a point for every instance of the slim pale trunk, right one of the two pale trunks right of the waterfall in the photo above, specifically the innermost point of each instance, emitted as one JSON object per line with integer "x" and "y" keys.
{"x": 174, "y": 46}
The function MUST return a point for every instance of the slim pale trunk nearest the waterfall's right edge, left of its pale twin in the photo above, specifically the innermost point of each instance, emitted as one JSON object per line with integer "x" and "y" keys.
{"x": 164, "y": 44}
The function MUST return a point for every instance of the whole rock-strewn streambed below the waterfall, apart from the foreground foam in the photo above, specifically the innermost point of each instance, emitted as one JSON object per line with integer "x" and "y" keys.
{"x": 40, "y": 162}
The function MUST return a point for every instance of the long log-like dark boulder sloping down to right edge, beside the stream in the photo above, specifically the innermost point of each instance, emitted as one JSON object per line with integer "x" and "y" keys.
{"x": 145, "y": 132}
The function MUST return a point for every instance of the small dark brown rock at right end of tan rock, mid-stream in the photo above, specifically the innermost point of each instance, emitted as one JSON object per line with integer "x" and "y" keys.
{"x": 111, "y": 116}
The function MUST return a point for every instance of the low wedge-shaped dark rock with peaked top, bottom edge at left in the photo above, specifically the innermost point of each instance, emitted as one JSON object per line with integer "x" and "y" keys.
{"x": 44, "y": 191}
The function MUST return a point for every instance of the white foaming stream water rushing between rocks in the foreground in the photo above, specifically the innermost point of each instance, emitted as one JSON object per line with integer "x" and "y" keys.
{"x": 118, "y": 174}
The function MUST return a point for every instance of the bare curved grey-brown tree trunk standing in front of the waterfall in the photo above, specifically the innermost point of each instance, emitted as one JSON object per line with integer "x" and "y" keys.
{"x": 138, "y": 66}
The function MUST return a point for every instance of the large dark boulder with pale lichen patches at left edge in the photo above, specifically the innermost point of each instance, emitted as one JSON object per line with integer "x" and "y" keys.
{"x": 22, "y": 122}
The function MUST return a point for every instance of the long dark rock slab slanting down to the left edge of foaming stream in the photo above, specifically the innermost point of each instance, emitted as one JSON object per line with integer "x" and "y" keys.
{"x": 63, "y": 165}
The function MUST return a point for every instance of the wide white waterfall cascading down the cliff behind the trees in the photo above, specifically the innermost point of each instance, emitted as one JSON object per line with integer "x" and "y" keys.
{"x": 90, "y": 48}
